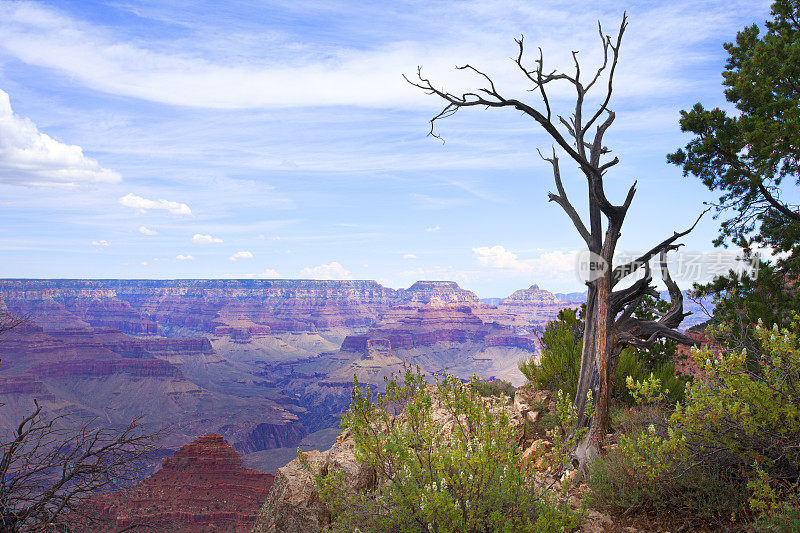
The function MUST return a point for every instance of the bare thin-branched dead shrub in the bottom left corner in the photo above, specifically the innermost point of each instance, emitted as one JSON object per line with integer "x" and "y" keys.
{"x": 49, "y": 468}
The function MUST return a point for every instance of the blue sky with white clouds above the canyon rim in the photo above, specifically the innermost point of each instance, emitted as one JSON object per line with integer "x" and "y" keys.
{"x": 278, "y": 139}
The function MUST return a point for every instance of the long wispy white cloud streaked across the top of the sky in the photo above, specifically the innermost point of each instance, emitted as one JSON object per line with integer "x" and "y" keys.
{"x": 350, "y": 75}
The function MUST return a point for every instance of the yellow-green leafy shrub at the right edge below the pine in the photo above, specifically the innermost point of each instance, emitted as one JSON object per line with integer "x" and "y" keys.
{"x": 747, "y": 406}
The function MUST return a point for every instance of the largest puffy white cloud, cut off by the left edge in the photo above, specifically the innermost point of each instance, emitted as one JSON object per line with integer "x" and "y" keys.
{"x": 28, "y": 157}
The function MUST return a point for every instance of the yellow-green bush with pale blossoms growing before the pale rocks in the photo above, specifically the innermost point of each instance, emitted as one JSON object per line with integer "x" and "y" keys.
{"x": 448, "y": 462}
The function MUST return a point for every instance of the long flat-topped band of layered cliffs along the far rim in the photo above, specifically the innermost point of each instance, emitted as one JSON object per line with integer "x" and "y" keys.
{"x": 224, "y": 307}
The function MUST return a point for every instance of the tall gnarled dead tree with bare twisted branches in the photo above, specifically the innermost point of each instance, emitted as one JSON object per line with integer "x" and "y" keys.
{"x": 610, "y": 320}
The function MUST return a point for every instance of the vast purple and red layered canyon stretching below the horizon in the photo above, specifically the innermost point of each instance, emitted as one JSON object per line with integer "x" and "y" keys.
{"x": 260, "y": 367}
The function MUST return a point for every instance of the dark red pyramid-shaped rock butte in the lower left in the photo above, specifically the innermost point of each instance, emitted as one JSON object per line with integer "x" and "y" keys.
{"x": 202, "y": 487}
